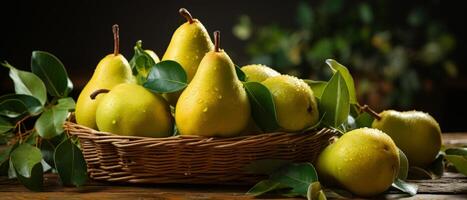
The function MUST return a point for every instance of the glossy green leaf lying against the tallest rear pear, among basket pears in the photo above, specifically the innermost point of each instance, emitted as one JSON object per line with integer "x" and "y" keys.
{"x": 166, "y": 77}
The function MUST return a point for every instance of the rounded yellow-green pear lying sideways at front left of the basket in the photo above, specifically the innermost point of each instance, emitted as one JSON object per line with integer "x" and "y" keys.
{"x": 130, "y": 109}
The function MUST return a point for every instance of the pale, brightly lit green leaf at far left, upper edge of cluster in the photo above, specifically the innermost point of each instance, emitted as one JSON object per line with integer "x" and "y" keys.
{"x": 27, "y": 83}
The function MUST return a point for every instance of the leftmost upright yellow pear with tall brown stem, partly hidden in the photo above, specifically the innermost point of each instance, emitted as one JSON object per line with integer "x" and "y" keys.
{"x": 111, "y": 71}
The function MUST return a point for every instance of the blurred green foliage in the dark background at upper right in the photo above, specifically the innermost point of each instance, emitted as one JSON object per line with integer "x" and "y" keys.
{"x": 394, "y": 53}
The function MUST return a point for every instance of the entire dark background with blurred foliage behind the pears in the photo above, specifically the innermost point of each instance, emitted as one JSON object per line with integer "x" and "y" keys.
{"x": 402, "y": 54}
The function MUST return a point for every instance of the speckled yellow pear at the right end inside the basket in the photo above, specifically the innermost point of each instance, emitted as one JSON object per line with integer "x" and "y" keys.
{"x": 296, "y": 106}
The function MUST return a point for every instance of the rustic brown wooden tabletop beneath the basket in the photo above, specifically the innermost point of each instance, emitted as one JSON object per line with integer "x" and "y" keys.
{"x": 450, "y": 186}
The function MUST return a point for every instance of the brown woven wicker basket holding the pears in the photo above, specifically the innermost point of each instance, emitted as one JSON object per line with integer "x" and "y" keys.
{"x": 191, "y": 159}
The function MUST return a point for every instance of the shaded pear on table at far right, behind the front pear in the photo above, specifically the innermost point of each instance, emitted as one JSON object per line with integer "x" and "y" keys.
{"x": 416, "y": 133}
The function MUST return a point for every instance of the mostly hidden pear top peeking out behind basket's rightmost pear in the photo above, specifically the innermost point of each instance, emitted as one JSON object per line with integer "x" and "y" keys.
{"x": 258, "y": 72}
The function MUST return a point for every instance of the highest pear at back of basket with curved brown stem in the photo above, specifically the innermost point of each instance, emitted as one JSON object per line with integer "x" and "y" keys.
{"x": 189, "y": 43}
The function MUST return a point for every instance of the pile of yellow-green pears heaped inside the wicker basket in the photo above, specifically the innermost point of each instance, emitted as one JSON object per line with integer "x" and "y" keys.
{"x": 214, "y": 103}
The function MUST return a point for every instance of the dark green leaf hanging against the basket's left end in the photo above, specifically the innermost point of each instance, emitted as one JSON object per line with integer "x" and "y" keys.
{"x": 70, "y": 163}
